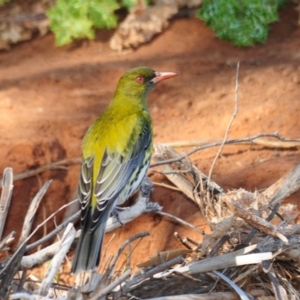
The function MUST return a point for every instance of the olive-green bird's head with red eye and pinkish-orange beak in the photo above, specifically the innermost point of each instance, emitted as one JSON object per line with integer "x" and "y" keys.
{"x": 138, "y": 82}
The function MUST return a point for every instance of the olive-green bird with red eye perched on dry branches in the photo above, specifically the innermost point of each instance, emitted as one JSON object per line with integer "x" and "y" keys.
{"x": 116, "y": 156}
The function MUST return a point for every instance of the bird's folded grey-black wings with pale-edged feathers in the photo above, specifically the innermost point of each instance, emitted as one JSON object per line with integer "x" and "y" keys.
{"x": 115, "y": 172}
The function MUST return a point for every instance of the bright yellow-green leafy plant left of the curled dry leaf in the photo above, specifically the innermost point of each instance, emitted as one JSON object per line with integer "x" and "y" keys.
{"x": 76, "y": 19}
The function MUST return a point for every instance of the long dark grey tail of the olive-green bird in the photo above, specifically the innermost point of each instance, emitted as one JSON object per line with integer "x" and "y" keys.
{"x": 88, "y": 250}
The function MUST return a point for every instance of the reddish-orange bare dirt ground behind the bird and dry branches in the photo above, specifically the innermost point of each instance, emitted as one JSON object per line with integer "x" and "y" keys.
{"x": 49, "y": 96}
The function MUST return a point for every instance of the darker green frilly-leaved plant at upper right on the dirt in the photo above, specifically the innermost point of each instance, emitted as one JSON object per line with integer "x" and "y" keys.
{"x": 244, "y": 22}
